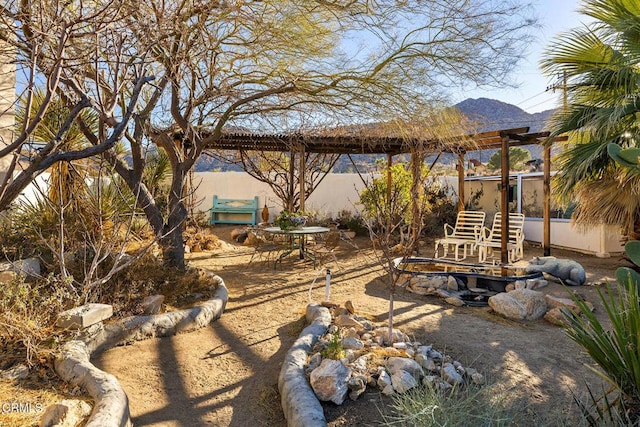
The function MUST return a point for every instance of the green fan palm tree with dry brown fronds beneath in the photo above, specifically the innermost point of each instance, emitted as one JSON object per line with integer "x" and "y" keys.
{"x": 601, "y": 63}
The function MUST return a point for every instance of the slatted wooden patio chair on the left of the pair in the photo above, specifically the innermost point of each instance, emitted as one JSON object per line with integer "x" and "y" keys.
{"x": 465, "y": 234}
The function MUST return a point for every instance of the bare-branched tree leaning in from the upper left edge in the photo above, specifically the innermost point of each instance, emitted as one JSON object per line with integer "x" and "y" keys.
{"x": 57, "y": 47}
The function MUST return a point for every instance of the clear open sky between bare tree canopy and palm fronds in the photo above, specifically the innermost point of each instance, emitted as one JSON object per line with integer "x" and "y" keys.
{"x": 555, "y": 17}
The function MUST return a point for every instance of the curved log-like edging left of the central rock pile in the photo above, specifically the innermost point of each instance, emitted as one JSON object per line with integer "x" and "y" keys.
{"x": 300, "y": 405}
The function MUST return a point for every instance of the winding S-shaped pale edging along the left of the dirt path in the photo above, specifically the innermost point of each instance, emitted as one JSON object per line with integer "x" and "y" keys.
{"x": 111, "y": 403}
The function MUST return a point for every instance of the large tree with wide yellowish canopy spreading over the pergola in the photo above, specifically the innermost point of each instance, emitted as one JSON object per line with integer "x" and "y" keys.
{"x": 246, "y": 64}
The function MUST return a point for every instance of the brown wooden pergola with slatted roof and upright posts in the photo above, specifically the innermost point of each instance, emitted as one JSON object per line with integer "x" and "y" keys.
{"x": 360, "y": 144}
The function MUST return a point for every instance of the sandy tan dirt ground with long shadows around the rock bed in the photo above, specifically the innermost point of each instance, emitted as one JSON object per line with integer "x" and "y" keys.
{"x": 226, "y": 374}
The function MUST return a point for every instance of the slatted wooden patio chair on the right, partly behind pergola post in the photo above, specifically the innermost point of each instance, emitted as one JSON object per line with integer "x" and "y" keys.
{"x": 492, "y": 238}
